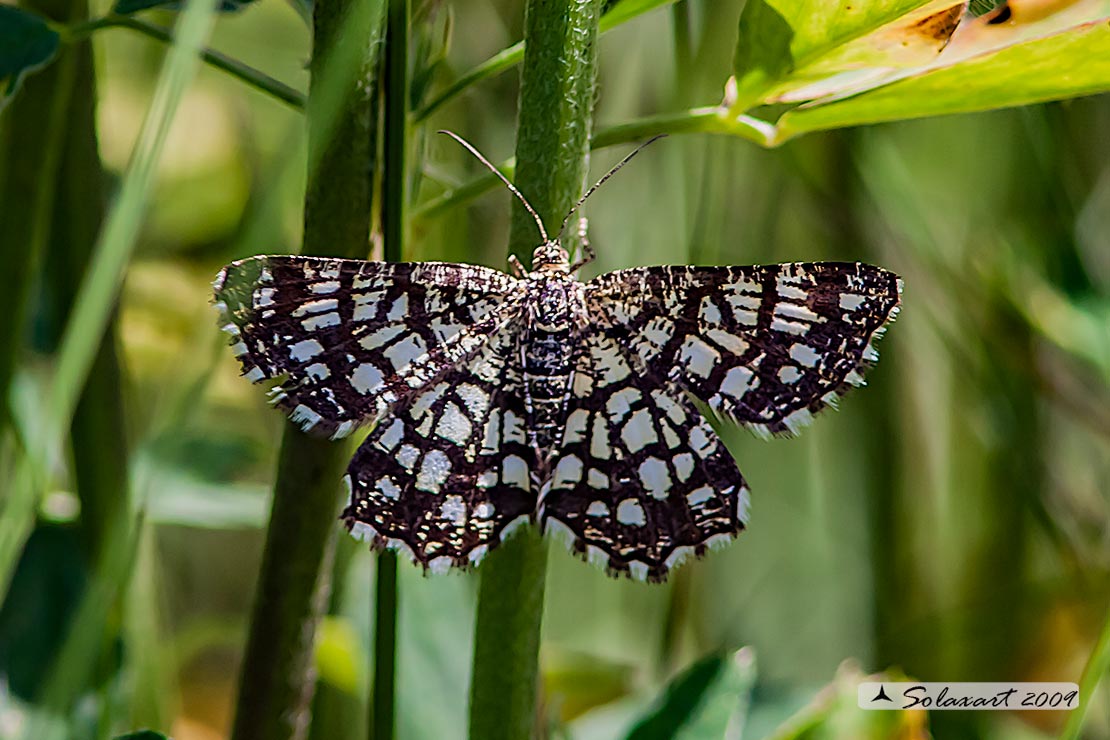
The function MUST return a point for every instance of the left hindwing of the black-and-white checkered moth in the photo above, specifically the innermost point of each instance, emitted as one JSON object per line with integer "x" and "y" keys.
{"x": 448, "y": 477}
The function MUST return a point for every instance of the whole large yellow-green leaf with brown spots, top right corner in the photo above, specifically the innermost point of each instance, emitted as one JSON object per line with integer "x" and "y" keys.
{"x": 849, "y": 64}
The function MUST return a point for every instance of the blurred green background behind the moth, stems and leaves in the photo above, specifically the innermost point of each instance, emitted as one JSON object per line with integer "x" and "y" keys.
{"x": 950, "y": 522}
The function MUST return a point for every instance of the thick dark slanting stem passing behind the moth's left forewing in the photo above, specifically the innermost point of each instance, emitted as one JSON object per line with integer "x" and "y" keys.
{"x": 277, "y": 681}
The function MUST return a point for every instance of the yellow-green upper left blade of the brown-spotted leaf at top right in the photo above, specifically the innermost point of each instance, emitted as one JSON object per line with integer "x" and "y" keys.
{"x": 781, "y": 39}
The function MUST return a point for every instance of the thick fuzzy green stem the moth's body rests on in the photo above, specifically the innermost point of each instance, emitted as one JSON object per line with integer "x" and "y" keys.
{"x": 552, "y": 149}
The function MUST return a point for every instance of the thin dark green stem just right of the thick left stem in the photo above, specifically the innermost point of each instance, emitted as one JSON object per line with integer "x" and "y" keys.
{"x": 395, "y": 238}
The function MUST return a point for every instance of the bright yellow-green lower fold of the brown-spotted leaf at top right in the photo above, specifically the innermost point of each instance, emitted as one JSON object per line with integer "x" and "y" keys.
{"x": 1075, "y": 63}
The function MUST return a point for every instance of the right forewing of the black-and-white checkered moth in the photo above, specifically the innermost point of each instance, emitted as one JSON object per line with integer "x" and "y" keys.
{"x": 765, "y": 347}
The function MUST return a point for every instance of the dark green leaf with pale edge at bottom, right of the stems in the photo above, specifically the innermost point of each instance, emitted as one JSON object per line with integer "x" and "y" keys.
{"x": 705, "y": 702}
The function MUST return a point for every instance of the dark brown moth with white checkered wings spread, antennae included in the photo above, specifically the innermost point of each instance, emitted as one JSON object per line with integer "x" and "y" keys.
{"x": 498, "y": 400}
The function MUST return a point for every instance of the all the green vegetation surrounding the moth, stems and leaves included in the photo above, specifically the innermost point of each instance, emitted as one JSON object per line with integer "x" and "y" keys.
{"x": 169, "y": 555}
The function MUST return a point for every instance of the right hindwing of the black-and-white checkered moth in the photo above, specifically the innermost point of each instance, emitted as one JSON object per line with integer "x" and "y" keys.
{"x": 642, "y": 481}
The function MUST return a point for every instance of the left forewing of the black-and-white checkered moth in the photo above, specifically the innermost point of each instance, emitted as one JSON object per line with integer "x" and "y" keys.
{"x": 351, "y": 339}
